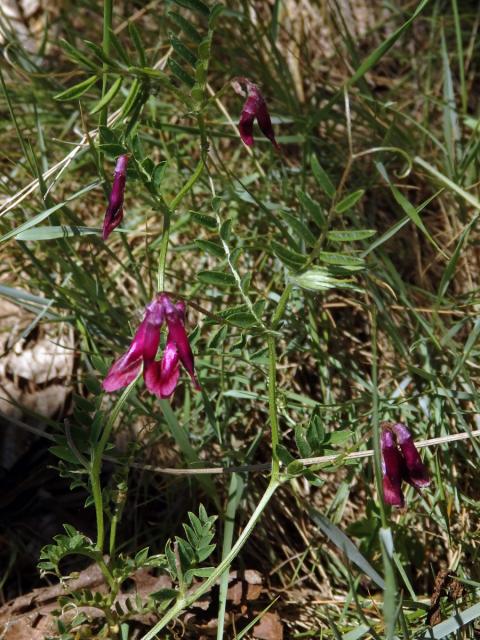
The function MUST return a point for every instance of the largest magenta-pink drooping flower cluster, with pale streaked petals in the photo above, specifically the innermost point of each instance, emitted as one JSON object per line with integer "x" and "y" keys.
{"x": 161, "y": 377}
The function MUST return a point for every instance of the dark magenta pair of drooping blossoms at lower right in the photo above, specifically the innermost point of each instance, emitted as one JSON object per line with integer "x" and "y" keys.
{"x": 400, "y": 461}
